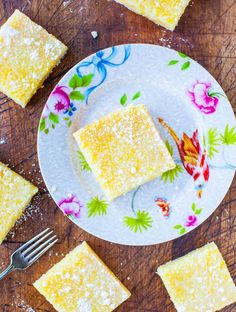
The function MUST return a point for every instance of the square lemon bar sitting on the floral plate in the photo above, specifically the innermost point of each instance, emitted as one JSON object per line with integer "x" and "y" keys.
{"x": 124, "y": 150}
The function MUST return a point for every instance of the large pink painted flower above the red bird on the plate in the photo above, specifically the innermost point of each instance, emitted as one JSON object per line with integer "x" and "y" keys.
{"x": 203, "y": 98}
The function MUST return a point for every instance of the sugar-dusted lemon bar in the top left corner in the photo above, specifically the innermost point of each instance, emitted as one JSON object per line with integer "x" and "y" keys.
{"x": 28, "y": 53}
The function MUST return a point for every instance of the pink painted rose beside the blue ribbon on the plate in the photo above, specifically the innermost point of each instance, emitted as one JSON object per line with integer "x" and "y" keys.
{"x": 59, "y": 102}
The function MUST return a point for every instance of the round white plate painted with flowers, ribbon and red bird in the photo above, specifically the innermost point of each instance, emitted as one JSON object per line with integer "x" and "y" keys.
{"x": 195, "y": 120}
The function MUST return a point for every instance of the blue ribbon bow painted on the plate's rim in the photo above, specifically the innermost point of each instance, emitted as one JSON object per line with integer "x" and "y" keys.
{"x": 100, "y": 63}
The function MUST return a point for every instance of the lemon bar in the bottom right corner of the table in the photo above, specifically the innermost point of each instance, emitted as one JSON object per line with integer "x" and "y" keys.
{"x": 199, "y": 281}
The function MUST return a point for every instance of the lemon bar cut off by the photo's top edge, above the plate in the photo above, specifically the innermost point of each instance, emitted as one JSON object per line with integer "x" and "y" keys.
{"x": 166, "y": 13}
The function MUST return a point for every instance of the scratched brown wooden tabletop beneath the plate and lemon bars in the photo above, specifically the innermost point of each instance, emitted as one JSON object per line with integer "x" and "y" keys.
{"x": 206, "y": 33}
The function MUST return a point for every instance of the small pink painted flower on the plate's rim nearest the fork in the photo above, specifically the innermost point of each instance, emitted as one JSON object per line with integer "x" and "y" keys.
{"x": 70, "y": 206}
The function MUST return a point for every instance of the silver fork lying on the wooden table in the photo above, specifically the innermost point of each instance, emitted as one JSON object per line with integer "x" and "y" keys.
{"x": 30, "y": 252}
